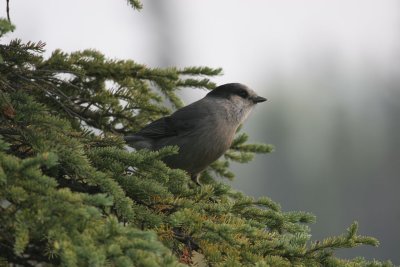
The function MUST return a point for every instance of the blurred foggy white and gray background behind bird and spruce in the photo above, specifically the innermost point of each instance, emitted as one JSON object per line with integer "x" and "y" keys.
{"x": 330, "y": 71}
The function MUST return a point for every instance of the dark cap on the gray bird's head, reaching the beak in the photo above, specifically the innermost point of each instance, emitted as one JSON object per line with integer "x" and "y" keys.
{"x": 230, "y": 89}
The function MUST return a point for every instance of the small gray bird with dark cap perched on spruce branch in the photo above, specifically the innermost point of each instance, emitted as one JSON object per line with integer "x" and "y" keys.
{"x": 203, "y": 131}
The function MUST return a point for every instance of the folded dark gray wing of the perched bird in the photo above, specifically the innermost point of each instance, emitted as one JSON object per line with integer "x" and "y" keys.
{"x": 183, "y": 120}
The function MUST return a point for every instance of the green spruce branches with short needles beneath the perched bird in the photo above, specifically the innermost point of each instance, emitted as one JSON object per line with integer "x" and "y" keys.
{"x": 71, "y": 194}
